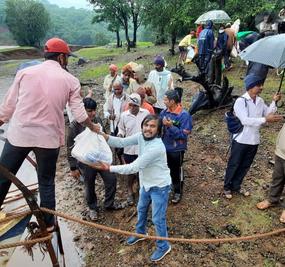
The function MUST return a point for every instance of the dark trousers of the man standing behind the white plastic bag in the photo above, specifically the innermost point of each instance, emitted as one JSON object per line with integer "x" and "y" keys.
{"x": 110, "y": 183}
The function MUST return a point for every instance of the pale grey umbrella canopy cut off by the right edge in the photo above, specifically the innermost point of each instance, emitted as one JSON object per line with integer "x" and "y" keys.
{"x": 268, "y": 51}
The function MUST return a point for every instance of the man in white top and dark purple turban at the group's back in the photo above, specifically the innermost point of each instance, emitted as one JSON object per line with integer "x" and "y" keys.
{"x": 162, "y": 80}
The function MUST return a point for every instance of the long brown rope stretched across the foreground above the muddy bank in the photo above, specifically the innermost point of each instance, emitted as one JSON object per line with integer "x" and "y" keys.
{"x": 172, "y": 239}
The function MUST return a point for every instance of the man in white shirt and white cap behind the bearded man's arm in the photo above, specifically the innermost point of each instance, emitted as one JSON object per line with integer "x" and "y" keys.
{"x": 130, "y": 124}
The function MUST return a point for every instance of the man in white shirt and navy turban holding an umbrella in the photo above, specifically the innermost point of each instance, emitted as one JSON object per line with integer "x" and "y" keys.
{"x": 252, "y": 112}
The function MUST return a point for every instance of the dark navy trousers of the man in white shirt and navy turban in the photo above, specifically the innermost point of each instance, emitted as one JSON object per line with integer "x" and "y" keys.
{"x": 240, "y": 160}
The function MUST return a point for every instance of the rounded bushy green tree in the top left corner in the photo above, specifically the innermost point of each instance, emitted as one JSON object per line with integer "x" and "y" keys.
{"x": 27, "y": 20}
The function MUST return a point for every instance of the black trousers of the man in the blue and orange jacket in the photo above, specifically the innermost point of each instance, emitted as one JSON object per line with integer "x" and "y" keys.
{"x": 174, "y": 162}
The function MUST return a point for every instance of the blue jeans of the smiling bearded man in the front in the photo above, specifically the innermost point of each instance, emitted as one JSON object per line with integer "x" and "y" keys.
{"x": 158, "y": 198}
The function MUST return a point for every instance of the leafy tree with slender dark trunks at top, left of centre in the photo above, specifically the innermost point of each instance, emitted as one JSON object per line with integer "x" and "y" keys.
{"x": 121, "y": 11}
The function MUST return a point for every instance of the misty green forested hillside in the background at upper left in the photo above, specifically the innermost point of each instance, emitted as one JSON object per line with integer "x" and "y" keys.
{"x": 73, "y": 25}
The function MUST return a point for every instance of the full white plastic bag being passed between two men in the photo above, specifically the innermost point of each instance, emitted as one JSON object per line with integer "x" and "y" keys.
{"x": 91, "y": 147}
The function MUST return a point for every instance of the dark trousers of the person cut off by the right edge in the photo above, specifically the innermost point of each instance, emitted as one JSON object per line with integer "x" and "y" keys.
{"x": 278, "y": 180}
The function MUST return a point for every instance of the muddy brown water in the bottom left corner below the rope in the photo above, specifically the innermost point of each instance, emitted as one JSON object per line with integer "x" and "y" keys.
{"x": 73, "y": 258}
